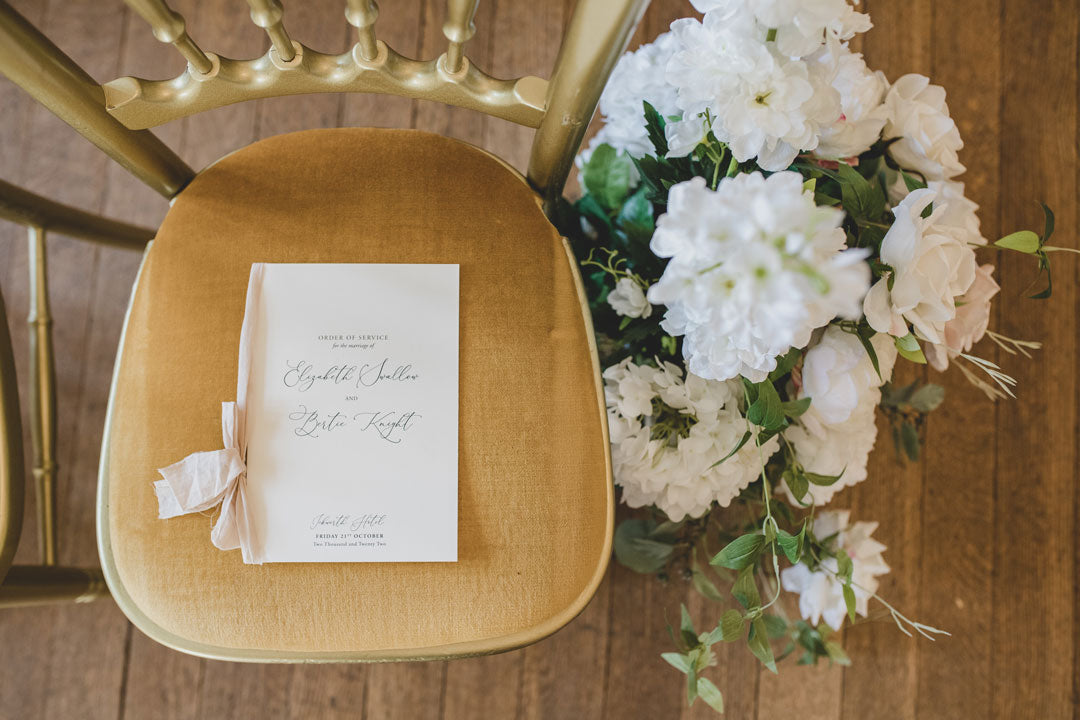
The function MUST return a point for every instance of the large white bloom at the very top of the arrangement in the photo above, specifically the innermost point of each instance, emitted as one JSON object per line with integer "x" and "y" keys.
{"x": 767, "y": 100}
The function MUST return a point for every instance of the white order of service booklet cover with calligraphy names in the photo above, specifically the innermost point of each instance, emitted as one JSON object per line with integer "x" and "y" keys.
{"x": 353, "y": 414}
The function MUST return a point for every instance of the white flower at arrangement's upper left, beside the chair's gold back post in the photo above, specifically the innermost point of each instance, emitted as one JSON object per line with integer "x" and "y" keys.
{"x": 638, "y": 77}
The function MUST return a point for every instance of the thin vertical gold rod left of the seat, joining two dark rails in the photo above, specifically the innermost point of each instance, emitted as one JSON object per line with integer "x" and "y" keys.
{"x": 43, "y": 396}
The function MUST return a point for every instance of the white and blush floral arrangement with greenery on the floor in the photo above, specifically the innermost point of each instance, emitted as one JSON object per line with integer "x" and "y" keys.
{"x": 768, "y": 227}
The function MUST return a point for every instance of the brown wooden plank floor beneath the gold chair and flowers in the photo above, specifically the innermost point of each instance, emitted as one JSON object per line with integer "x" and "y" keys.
{"x": 983, "y": 537}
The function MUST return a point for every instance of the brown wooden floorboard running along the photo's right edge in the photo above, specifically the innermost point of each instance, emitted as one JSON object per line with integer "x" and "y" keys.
{"x": 1034, "y": 669}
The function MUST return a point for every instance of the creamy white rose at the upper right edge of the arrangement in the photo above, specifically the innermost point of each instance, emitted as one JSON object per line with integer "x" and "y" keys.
{"x": 929, "y": 140}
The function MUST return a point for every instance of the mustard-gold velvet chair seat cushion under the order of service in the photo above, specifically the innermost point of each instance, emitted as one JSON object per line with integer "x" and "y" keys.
{"x": 535, "y": 492}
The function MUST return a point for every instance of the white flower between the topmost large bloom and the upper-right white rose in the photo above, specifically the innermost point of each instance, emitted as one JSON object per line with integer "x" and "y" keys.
{"x": 863, "y": 113}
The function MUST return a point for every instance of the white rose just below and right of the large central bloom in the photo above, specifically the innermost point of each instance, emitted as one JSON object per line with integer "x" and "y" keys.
{"x": 836, "y": 434}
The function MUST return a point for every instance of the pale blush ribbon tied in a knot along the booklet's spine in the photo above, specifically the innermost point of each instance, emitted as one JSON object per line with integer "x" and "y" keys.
{"x": 204, "y": 480}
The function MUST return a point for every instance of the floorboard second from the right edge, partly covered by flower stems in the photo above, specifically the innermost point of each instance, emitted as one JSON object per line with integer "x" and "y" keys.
{"x": 954, "y": 674}
